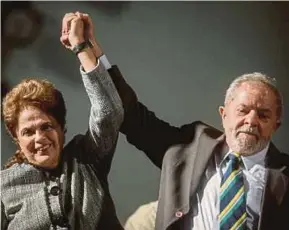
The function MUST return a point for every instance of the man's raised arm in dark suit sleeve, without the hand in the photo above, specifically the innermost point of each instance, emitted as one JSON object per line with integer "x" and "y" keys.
{"x": 143, "y": 128}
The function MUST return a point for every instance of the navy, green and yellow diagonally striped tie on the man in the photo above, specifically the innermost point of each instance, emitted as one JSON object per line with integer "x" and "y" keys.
{"x": 233, "y": 198}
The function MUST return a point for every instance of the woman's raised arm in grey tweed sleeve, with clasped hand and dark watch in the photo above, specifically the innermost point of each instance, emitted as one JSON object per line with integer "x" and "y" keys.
{"x": 106, "y": 113}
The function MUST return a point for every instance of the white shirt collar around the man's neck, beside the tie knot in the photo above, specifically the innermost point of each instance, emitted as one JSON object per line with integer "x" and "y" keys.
{"x": 250, "y": 161}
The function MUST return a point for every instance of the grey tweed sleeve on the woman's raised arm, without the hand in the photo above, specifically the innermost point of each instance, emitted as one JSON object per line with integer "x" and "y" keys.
{"x": 106, "y": 114}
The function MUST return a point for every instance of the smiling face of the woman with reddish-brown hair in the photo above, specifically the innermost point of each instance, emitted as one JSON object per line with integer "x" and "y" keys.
{"x": 40, "y": 137}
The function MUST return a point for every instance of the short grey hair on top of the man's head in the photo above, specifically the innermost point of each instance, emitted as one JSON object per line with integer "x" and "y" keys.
{"x": 257, "y": 77}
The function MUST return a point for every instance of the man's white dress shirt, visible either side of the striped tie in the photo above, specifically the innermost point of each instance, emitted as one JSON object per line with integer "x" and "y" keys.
{"x": 206, "y": 204}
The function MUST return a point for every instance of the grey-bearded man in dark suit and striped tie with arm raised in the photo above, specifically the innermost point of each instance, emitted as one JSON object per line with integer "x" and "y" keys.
{"x": 214, "y": 180}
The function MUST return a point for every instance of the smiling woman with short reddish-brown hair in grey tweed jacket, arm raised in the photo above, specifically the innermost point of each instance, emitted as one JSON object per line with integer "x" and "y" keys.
{"x": 46, "y": 185}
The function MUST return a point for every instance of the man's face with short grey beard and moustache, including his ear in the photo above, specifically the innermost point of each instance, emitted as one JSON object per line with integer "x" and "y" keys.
{"x": 250, "y": 117}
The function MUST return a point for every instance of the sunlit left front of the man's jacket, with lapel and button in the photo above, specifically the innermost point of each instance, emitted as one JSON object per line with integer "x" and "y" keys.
{"x": 186, "y": 174}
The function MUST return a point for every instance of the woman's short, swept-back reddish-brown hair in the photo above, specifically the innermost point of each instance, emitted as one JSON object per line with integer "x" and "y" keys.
{"x": 41, "y": 94}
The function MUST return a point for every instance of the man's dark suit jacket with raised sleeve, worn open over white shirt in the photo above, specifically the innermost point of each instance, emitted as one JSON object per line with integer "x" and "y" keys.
{"x": 183, "y": 154}
